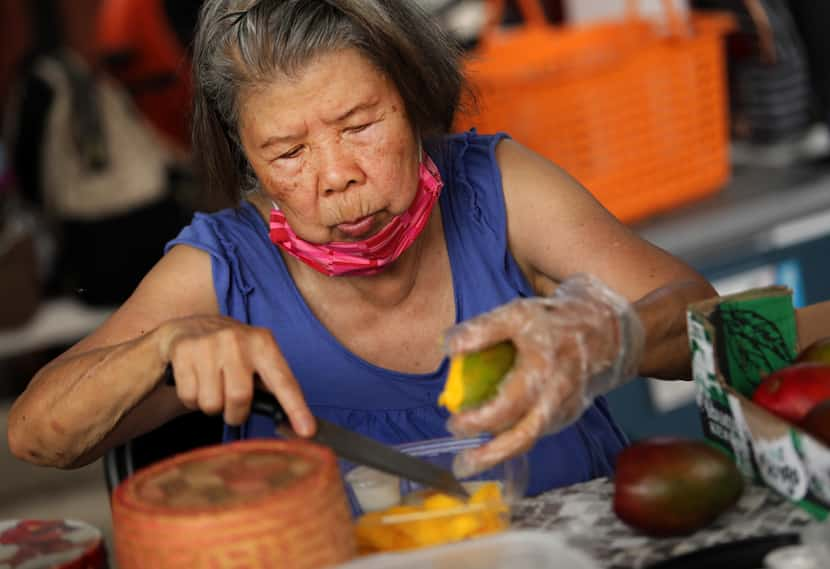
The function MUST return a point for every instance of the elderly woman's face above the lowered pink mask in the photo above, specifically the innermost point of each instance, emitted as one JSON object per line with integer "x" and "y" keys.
{"x": 332, "y": 147}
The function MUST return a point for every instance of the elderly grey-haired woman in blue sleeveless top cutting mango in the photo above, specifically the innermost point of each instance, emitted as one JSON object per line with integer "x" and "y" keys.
{"x": 365, "y": 234}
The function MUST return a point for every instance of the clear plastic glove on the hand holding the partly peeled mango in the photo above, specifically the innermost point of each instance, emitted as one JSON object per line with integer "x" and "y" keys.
{"x": 581, "y": 342}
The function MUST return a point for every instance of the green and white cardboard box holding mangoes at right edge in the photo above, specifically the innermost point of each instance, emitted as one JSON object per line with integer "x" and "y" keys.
{"x": 735, "y": 341}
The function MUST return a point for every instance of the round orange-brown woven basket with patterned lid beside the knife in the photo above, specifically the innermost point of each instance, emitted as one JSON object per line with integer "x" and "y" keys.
{"x": 253, "y": 504}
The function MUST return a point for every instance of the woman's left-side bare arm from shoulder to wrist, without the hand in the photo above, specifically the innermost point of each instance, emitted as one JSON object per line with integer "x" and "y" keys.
{"x": 103, "y": 390}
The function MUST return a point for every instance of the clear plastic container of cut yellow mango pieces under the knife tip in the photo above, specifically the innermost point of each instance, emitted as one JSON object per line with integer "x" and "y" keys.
{"x": 404, "y": 515}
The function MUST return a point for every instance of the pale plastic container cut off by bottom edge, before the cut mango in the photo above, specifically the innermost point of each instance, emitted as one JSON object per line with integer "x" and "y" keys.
{"x": 508, "y": 550}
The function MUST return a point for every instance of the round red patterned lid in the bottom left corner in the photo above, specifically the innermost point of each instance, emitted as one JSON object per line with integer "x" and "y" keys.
{"x": 50, "y": 544}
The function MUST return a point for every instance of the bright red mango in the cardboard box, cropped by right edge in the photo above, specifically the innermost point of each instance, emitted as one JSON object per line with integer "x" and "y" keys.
{"x": 792, "y": 391}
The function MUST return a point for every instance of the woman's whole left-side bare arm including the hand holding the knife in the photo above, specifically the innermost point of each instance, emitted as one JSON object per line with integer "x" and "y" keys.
{"x": 105, "y": 389}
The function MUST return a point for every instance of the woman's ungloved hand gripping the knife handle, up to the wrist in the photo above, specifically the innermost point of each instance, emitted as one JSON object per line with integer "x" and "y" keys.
{"x": 214, "y": 359}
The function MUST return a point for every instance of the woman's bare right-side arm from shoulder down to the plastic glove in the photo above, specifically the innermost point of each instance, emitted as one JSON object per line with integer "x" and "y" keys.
{"x": 556, "y": 228}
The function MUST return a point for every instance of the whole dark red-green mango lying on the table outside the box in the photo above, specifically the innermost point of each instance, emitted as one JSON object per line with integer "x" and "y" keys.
{"x": 673, "y": 486}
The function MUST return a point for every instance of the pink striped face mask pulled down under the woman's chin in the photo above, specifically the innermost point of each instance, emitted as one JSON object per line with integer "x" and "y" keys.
{"x": 367, "y": 257}
